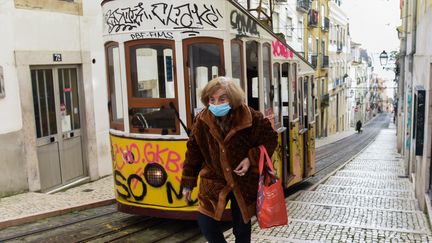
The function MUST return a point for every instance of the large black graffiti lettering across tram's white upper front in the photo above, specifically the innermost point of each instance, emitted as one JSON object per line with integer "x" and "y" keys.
{"x": 189, "y": 17}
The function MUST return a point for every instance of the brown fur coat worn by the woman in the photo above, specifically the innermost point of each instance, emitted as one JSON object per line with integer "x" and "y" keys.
{"x": 214, "y": 157}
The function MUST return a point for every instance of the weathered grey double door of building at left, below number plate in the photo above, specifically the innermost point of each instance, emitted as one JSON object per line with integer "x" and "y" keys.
{"x": 58, "y": 125}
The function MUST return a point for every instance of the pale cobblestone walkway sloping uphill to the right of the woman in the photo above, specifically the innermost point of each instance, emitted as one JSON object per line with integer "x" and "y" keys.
{"x": 368, "y": 200}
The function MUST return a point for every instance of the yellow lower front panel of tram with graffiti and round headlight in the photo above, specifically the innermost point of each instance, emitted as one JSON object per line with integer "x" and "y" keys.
{"x": 148, "y": 171}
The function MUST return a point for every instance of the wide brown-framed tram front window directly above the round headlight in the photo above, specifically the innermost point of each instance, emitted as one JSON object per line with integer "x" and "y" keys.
{"x": 151, "y": 86}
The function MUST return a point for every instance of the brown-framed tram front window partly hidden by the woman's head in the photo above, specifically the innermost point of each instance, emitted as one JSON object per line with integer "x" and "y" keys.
{"x": 203, "y": 58}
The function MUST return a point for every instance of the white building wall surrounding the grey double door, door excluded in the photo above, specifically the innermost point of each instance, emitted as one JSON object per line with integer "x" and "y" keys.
{"x": 29, "y": 37}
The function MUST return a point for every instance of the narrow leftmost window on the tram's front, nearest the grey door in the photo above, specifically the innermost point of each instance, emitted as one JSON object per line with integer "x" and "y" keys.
{"x": 115, "y": 100}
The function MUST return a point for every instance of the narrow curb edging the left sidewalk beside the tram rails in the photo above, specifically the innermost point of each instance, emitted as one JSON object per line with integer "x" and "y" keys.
{"x": 57, "y": 212}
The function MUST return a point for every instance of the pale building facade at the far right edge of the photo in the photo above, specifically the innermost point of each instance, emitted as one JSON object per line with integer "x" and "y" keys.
{"x": 414, "y": 116}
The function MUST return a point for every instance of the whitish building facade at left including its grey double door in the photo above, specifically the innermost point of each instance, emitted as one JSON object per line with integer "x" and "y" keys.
{"x": 54, "y": 123}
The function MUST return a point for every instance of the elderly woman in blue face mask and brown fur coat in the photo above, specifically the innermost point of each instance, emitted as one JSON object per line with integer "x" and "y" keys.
{"x": 223, "y": 150}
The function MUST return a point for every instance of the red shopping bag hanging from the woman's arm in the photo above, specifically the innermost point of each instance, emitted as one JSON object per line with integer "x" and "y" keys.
{"x": 271, "y": 208}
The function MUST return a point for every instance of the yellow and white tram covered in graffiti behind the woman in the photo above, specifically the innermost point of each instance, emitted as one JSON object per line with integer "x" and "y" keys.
{"x": 159, "y": 55}
